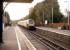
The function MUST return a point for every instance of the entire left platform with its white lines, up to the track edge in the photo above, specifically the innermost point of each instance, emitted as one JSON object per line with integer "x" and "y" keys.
{"x": 15, "y": 38}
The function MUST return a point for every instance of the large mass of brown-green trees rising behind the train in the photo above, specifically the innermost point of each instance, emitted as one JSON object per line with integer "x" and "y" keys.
{"x": 45, "y": 9}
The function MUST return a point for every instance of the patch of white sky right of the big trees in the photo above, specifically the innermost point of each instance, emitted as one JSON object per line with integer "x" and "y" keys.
{"x": 64, "y": 6}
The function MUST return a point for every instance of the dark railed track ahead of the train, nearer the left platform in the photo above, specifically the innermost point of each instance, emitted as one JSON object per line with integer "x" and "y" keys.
{"x": 45, "y": 42}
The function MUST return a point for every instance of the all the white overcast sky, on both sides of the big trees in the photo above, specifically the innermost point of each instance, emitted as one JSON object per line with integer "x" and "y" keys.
{"x": 20, "y": 10}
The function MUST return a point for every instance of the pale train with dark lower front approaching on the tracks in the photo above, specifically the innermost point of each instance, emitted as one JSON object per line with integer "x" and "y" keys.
{"x": 29, "y": 24}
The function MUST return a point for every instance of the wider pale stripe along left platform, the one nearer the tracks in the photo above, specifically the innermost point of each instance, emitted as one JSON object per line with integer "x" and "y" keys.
{"x": 28, "y": 43}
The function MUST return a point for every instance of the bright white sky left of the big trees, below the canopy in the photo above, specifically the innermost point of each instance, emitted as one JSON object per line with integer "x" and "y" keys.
{"x": 20, "y": 10}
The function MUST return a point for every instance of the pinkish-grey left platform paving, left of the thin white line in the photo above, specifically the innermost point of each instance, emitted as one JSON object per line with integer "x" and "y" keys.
{"x": 9, "y": 40}
